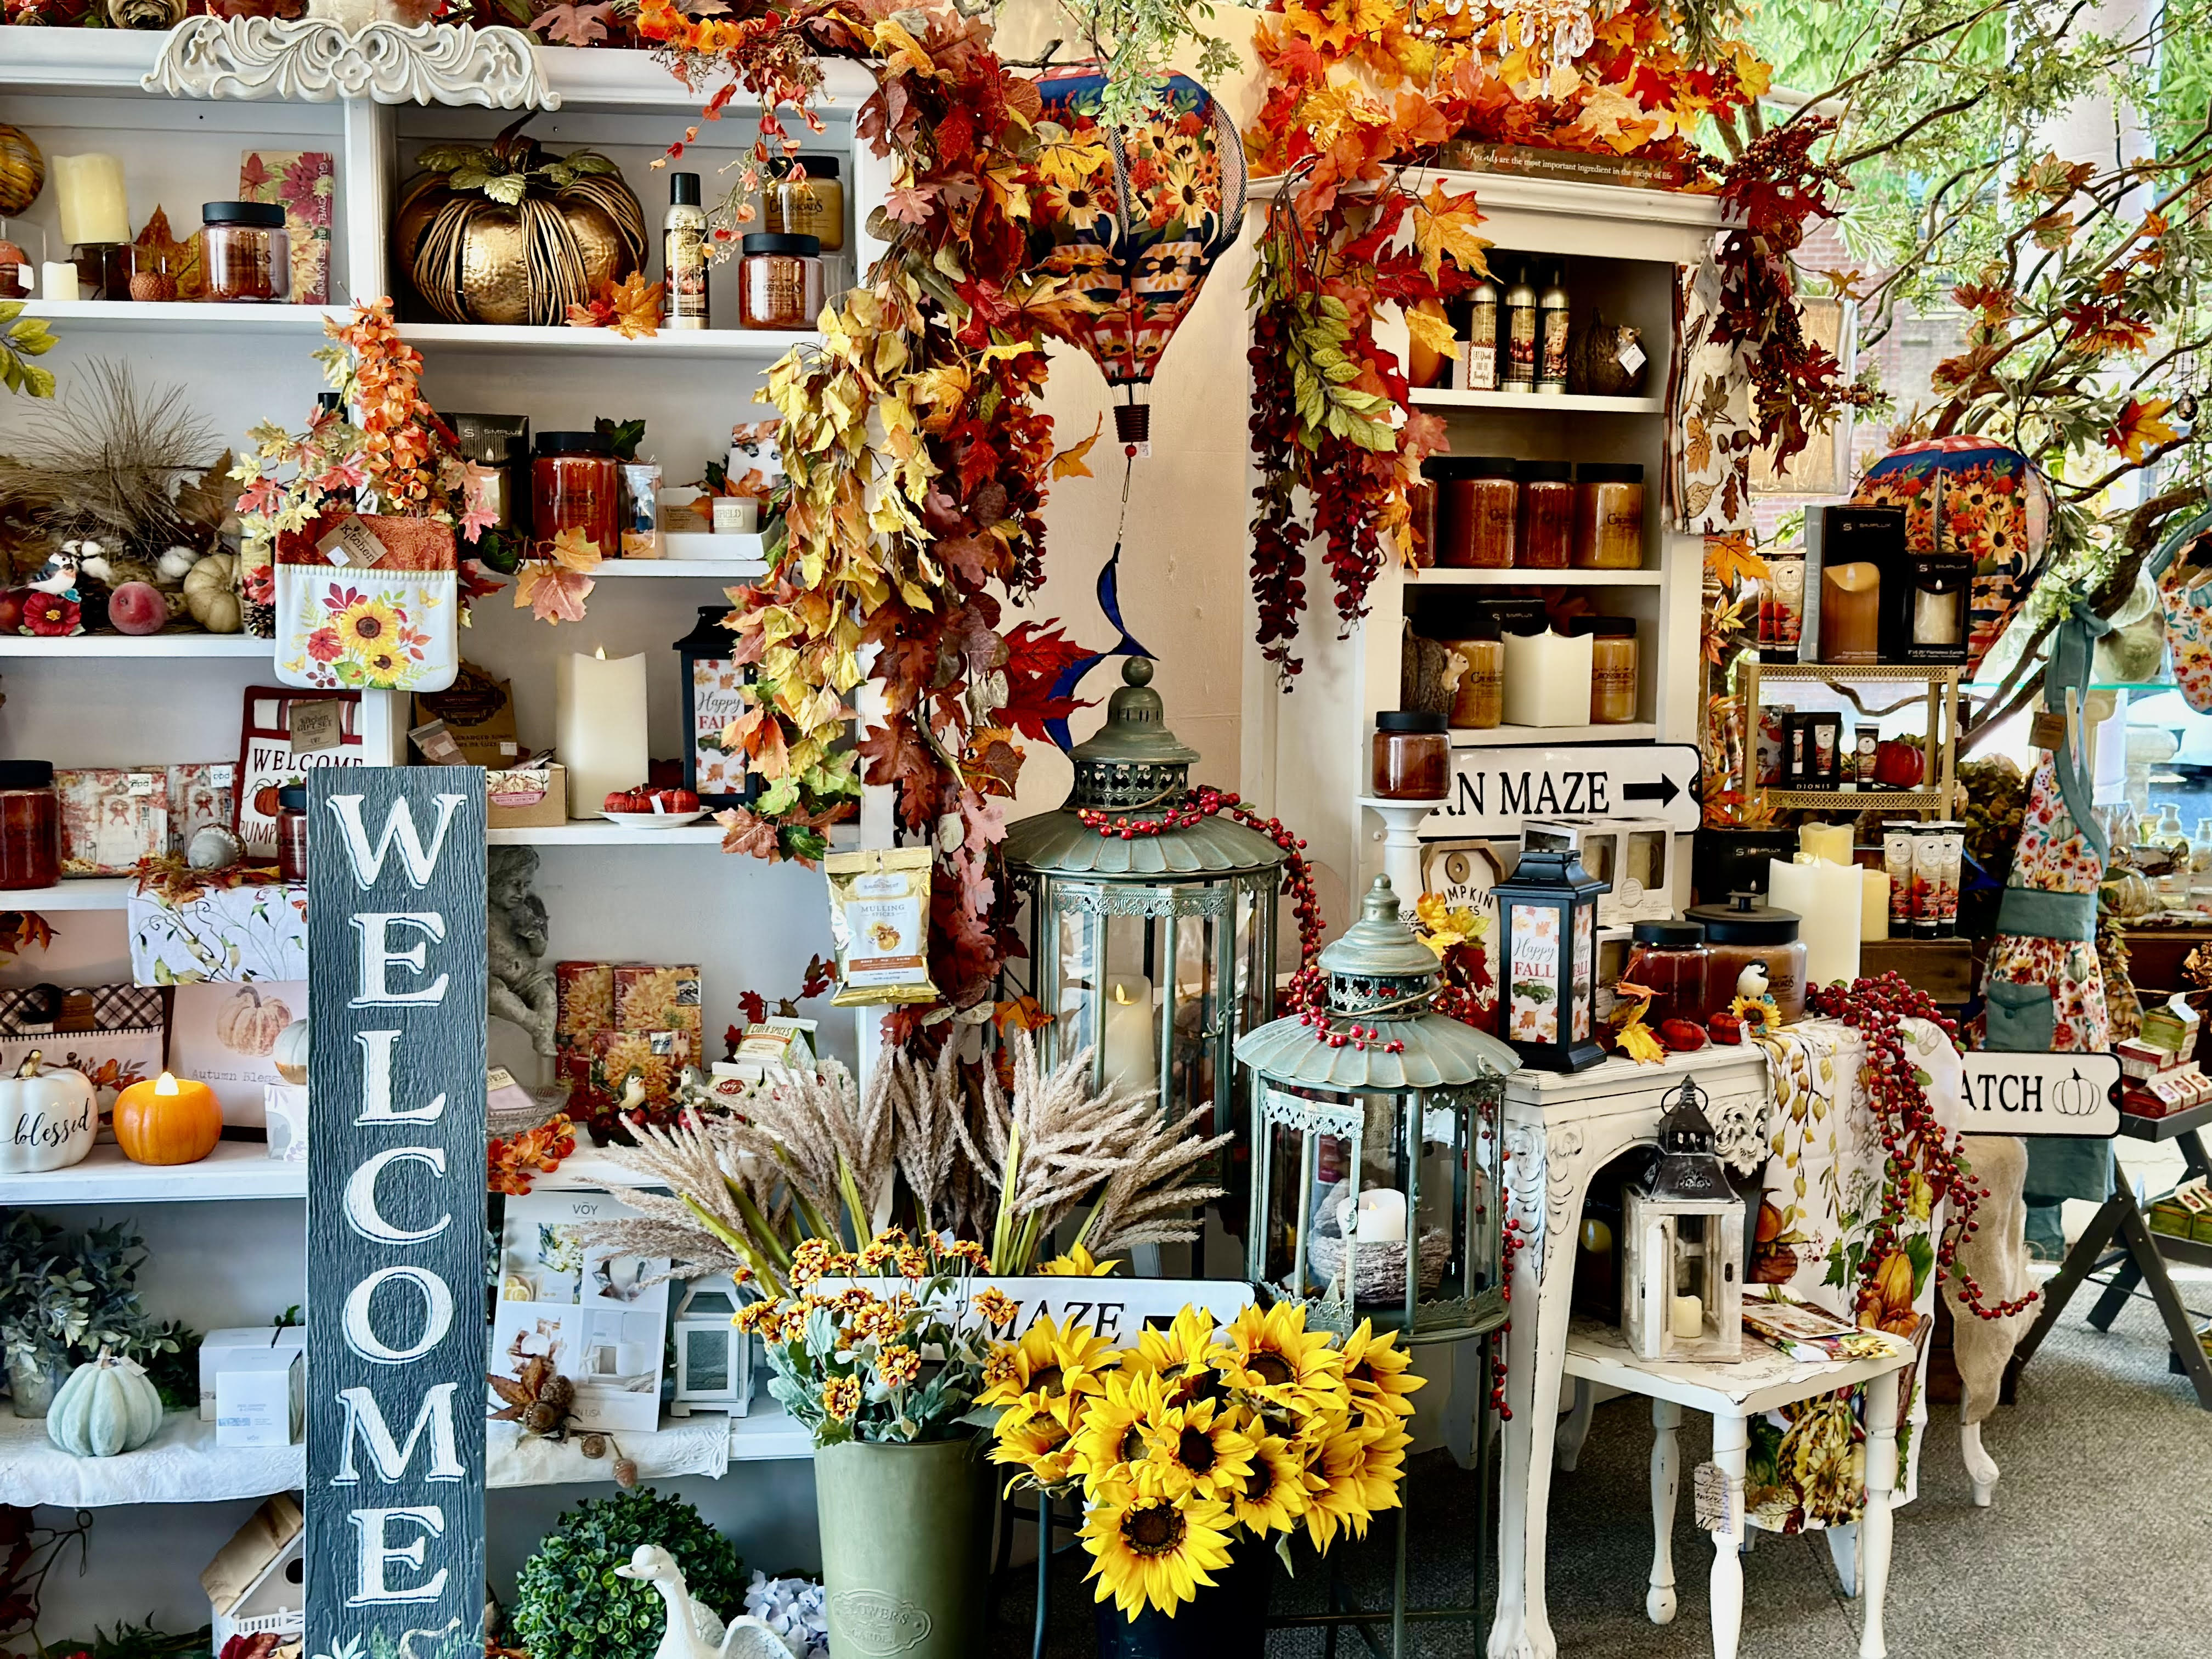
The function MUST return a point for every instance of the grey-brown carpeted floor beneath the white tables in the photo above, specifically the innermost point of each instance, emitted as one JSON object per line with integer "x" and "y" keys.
{"x": 2098, "y": 1547}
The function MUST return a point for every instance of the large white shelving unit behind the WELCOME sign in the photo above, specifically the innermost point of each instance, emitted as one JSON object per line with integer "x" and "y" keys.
{"x": 612, "y": 893}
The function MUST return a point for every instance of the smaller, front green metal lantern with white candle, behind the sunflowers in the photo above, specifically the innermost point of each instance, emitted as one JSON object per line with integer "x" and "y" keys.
{"x": 1379, "y": 1149}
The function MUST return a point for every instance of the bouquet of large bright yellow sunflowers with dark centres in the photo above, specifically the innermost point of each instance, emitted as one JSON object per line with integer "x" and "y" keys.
{"x": 1202, "y": 1437}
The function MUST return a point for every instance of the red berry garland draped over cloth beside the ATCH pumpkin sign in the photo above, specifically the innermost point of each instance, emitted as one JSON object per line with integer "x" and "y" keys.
{"x": 1912, "y": 1140}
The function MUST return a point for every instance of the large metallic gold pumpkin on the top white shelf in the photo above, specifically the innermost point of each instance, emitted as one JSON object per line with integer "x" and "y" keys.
{"x": 512, "y": 233}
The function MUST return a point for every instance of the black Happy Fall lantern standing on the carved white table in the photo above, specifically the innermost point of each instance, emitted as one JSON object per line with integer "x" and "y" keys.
{"x": 1547, "y": 994}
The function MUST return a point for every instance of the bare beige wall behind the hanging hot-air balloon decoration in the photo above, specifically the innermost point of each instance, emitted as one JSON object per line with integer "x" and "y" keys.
{"x": 1185, "y": 550}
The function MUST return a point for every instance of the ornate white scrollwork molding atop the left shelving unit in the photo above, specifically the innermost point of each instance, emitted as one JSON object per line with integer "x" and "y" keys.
{"x": 315, "y": 63}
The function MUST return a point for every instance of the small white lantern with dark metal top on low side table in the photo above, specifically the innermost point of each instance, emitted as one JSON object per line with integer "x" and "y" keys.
{"x": 1682, "y": 1273}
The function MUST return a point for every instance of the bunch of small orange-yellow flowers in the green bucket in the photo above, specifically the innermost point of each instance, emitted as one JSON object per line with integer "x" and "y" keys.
{"x": 862, "y": 1366}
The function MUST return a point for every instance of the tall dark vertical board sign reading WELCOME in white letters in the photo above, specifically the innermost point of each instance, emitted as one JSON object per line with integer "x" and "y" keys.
{"x": 397, "y": 1213}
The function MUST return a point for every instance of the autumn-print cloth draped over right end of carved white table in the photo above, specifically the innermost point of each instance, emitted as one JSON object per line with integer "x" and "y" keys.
{"x": 1817, "y": 1220}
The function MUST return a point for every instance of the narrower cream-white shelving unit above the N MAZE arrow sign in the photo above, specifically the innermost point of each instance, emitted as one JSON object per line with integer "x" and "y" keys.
{"x": 1620, "y": 251}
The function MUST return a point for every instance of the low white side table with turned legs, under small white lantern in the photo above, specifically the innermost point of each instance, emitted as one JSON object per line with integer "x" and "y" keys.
{"x": 1733, "y": 1395}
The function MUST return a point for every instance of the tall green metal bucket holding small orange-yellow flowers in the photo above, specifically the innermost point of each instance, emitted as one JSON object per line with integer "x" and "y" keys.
{"x": 906, "y": 1543}
